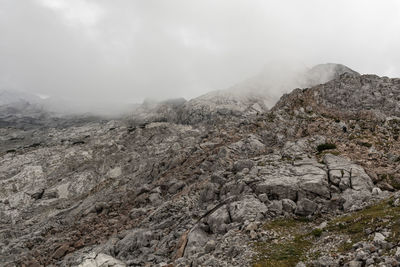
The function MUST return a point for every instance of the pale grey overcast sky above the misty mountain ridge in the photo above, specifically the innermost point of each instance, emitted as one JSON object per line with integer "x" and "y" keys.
{"x": 126, "y": 50}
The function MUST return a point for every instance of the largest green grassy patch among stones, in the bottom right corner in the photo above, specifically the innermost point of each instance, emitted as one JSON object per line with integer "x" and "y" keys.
{"x": 297, "y": 239}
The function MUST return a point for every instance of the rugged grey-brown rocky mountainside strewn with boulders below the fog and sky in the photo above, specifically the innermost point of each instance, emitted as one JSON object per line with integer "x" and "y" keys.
{"x": 311, "y": 182}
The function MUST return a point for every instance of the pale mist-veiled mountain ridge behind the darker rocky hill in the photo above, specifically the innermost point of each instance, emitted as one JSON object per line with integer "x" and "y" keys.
{"x": 252, "y": 96}
